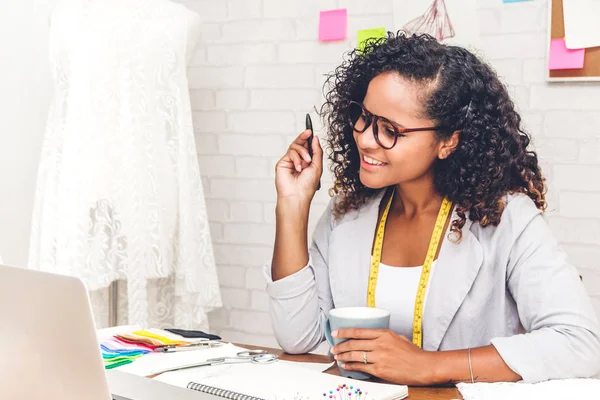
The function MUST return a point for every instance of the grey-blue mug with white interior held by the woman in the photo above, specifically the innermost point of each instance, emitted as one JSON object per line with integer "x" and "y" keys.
{"x": 354, "y": 317}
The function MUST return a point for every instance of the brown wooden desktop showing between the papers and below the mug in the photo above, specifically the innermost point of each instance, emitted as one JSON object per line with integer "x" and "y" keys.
{"x": 414, "y": 393}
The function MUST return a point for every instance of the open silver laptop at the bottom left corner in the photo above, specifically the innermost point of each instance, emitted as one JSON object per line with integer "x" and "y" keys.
{"x": 49, "y": 349}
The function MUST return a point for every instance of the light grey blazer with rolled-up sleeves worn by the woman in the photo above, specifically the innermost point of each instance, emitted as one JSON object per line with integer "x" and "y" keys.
{"x": 510, "y": 286}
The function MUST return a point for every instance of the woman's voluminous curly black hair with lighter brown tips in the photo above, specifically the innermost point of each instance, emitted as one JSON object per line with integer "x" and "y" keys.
{"x": 463, "y": 93}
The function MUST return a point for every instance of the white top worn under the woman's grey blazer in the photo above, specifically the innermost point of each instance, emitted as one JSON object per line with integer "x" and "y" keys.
{"x": 396, "y": 292}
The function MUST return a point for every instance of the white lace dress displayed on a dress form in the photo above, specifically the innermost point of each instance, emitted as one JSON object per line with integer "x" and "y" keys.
{"x": 119, "y": 193}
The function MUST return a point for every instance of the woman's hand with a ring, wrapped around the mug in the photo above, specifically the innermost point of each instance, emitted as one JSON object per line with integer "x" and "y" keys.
{"x": 389, "y": 356}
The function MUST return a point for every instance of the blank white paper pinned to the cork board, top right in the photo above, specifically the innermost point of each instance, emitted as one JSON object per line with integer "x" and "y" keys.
{"x": 582, "y": 26}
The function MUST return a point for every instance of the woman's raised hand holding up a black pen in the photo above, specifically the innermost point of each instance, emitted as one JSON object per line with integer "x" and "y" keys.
{"x": 297, "y": 174}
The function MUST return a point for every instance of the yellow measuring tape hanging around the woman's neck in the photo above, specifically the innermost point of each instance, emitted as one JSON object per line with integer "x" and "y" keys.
{"x": 436, "y": 236}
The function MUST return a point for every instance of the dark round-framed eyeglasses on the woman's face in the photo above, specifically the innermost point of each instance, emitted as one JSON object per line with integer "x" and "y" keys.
{"x": 360, "y": 119}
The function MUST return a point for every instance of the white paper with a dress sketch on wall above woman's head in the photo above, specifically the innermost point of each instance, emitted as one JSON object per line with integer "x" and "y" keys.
{"x": 460, "y": 15}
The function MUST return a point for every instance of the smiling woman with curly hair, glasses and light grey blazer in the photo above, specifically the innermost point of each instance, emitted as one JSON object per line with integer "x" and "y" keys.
{"x": 418, "y": 128}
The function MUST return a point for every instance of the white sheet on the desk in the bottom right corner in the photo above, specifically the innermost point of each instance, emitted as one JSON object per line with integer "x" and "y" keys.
{"x": 580, "y": 389}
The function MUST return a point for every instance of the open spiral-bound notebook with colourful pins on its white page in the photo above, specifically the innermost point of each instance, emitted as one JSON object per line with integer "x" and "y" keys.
{"x": 278, "y": 381}
